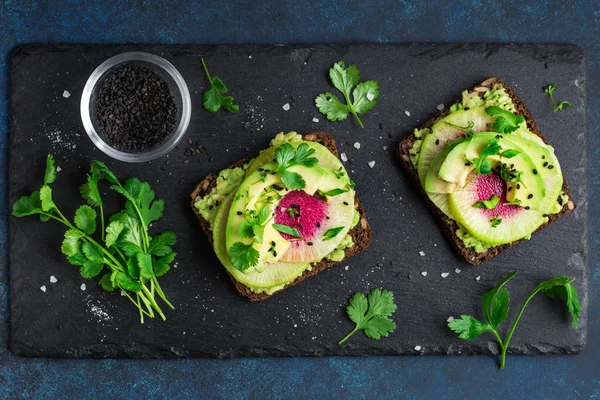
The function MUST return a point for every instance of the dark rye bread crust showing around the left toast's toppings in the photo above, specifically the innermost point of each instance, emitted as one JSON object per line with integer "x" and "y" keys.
{"x": 361, "y": 233}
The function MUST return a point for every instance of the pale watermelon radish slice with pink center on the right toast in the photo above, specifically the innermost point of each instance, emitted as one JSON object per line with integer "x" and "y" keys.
{"x": 516, "y": 222}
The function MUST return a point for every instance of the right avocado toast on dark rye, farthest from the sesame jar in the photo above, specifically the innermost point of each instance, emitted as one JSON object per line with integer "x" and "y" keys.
{"x": 486, "y": 172}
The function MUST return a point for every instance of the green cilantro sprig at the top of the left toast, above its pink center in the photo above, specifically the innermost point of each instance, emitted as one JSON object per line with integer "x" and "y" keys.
{"x": 286, "y": 157}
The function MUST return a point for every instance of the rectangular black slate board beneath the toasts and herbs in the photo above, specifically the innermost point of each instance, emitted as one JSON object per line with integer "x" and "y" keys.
{"x": 211, "y": 320}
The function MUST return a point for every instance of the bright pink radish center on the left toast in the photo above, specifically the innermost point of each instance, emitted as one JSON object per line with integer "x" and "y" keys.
{"x": 302, "y": 211}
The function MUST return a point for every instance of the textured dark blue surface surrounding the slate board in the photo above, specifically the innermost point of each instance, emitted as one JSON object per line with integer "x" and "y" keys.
{"x": 108, "y": 21}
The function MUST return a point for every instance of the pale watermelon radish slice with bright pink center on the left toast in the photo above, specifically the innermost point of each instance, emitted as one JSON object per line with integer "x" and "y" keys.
{"x": 313, "y": 217}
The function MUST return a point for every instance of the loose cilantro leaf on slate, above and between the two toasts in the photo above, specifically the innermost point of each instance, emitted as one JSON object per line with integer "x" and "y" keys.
{"x": 363, "y": 99}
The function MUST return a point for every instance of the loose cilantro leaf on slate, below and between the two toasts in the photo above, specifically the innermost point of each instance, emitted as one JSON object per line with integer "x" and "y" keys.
{"x": 372, "y": 314}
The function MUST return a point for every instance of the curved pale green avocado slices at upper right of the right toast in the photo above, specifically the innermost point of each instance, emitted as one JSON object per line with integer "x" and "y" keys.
{"x": 530, "y": 190}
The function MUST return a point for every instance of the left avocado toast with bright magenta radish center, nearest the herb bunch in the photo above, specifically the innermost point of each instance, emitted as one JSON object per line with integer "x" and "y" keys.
{"x": 272, "y": 230}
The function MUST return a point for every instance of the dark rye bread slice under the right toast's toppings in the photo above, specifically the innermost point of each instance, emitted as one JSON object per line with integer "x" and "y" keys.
{"x": 449, "y": 226}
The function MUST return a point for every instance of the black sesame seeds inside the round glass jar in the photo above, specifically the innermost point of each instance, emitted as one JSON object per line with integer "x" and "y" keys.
{"x": 135, "y": 110}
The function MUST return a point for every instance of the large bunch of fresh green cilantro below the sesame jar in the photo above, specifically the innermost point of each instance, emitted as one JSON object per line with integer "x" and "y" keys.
{"x": 130, "y": 258}
